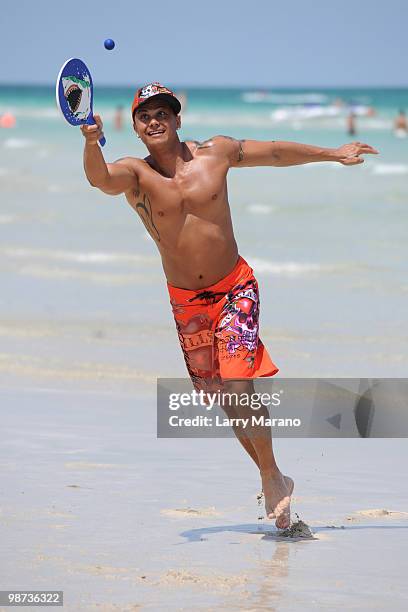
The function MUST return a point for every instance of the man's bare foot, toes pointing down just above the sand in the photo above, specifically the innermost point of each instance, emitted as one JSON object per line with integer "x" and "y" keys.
{"x": 277, "y": 490}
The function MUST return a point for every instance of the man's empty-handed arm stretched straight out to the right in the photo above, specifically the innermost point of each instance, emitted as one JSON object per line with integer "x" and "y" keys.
{"x": 250, "y": 153}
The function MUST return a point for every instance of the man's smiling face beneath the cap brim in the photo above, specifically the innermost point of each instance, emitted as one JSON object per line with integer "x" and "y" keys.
{"x": 155, "y": 122}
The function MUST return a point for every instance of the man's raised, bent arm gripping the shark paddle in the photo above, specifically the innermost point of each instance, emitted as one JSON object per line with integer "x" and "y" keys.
{"x": 112, "y": 179}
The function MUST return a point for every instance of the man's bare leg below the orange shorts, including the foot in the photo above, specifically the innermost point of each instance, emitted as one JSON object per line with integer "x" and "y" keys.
{"x": 257, "y": 441}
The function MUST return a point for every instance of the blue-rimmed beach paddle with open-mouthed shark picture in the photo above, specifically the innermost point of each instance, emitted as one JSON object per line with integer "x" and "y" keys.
{"x": 74, "y": 94}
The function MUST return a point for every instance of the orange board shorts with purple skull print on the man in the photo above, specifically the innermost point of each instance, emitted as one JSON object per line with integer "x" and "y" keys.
{"x": 218, "y": 329}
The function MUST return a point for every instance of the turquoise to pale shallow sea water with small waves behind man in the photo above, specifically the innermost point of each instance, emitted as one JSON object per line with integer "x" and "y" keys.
{"x": 328, "y": 243}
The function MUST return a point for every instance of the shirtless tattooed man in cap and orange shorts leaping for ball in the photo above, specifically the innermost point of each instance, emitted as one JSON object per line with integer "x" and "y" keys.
{"x": 180, "y": 193}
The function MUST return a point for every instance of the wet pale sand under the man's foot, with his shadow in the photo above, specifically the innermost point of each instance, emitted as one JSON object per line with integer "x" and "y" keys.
{"x": 94, "y": 504}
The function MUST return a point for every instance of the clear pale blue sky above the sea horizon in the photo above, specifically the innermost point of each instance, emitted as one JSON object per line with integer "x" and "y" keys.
{"x": 260, "y": 43}
